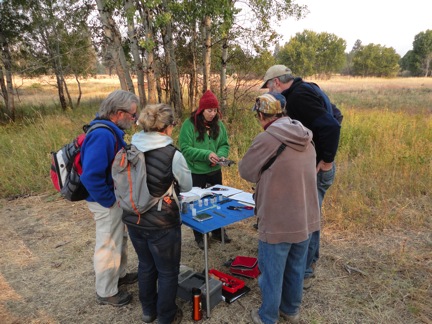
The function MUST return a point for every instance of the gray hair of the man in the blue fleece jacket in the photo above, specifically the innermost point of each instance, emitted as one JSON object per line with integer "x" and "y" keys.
{"x": 117, "y": 100}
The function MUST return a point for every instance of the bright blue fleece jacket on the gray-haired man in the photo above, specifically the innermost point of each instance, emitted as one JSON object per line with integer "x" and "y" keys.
{"x": 97, "y": 154}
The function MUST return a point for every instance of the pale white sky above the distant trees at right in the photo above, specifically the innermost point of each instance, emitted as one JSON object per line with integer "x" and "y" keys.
{"x": 385, "y": 22}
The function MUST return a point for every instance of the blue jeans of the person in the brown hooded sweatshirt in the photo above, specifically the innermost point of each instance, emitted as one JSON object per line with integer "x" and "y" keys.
{"x": 282, "y": 269}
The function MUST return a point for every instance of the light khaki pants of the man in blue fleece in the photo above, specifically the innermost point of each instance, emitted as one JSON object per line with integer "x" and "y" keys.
{"x": 110, "y": 255}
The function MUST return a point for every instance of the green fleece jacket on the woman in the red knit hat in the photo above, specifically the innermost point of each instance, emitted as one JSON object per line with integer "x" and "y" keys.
{"x": 197, "y": 152}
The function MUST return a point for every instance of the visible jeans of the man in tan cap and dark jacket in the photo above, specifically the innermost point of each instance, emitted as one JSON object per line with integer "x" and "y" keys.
{"x": 324, "y": 181}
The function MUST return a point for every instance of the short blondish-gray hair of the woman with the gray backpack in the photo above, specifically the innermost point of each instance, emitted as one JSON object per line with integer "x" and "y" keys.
{"x": 155, "y": 118}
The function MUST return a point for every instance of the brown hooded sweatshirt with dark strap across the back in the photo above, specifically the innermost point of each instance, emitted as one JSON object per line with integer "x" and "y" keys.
{"x": 286, "y": 197}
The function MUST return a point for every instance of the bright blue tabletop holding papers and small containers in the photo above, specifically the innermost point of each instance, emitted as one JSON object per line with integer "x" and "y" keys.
{"x": 221, "y": 215}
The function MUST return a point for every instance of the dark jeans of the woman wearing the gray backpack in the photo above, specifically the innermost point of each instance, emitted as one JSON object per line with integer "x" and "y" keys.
{"x": 159, "y": 253}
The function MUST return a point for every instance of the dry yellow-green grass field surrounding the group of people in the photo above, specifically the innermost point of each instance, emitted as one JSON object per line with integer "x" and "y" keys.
{"x": 376, "y": 264}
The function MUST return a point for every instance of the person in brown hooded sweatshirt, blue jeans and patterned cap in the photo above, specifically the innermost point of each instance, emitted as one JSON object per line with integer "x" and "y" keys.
{"x": 286, "y": 203}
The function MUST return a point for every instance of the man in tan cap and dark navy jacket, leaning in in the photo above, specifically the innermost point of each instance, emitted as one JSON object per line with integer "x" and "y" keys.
{"x": 309, "y": 105}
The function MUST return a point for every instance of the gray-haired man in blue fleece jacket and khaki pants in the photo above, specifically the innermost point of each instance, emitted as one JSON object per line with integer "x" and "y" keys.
{"x": 118, "y": 111}
